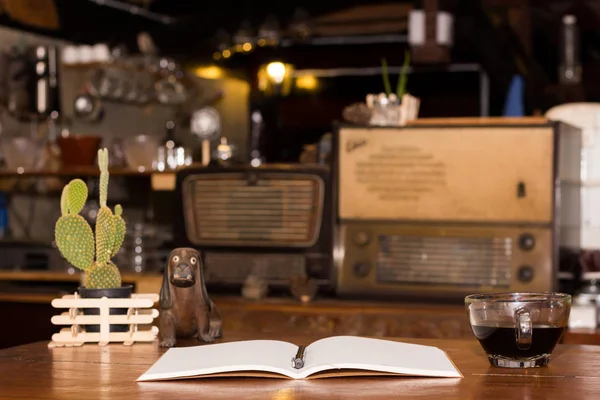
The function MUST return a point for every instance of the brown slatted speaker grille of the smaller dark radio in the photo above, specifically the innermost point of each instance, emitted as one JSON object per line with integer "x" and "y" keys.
{"x": 253, "y": 209}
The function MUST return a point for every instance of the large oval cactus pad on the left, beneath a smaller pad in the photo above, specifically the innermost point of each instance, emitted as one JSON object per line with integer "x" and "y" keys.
{"x": 75, "y": 240}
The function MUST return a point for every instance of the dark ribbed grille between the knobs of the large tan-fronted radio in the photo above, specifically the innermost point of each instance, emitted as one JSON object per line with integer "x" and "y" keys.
{"x": 454, "y": 261}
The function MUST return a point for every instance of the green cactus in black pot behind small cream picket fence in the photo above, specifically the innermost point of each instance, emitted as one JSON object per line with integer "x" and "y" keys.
{"x": 93, "y": 253}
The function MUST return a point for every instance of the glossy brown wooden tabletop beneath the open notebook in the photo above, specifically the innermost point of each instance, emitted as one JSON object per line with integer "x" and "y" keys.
{"x": 90, "y": 372}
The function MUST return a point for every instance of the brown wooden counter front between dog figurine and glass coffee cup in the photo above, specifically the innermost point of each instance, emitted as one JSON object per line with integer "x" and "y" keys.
{"x": 340, "y": 317}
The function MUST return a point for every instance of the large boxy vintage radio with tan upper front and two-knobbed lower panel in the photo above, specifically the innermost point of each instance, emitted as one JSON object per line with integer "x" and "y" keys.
{"x": 450, "y": 208}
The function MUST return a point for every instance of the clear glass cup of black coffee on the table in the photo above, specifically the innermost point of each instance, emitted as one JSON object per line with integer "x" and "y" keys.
{"x": 518, "y": 330}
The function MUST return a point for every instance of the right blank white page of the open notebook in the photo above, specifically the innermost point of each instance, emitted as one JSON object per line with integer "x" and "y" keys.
{"x": 382, "y": 355}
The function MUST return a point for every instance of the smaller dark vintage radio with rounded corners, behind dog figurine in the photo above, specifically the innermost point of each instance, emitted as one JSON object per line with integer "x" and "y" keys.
{"x": 274, "y": 221}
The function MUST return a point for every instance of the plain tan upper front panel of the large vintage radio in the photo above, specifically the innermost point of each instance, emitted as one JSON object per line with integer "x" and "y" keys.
{"x": 442, "y": 162}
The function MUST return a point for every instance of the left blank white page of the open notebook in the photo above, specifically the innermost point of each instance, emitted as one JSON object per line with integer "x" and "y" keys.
{"x": 262, "y": 355}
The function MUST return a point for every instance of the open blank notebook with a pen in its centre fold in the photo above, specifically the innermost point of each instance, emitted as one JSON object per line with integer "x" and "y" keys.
{"x": 333, "y": 356}
